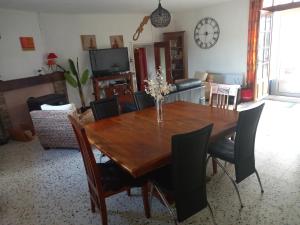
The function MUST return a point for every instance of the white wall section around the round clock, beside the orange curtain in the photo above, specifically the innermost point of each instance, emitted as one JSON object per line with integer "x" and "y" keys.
{"x": 230, "y": 52}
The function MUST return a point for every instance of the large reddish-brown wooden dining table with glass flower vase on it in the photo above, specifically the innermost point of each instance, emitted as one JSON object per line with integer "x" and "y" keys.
{"x": 139, "y": 144}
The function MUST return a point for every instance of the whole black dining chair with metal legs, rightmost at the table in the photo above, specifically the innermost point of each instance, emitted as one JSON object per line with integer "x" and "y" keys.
{"x": 240, "y": 152}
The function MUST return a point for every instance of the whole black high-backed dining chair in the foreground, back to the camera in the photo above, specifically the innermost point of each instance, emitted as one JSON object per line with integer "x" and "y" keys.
{"x": 184, "y": 180}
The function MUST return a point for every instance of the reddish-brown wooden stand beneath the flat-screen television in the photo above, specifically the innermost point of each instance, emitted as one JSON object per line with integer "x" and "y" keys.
{"x": 122, "y": 90}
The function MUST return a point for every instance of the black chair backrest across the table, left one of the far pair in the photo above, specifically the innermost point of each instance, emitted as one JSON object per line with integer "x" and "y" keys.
{"x": 105, "y": 108}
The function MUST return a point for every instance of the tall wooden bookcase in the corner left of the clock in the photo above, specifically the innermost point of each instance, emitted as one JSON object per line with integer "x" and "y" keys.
{"x": 175, "y": 64}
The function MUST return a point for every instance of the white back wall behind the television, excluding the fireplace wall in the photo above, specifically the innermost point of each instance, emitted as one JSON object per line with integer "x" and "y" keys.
{"x": 62, "y": 32}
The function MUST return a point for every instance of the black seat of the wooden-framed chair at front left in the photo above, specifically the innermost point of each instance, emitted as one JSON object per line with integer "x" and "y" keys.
{"x": 114, "y": 178}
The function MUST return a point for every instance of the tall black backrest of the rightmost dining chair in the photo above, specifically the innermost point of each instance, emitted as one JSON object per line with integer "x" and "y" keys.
{"x": 244, "y": 159}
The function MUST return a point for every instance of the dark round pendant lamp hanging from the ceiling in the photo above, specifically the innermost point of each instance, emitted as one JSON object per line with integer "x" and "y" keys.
{"x": 160, "y": 17}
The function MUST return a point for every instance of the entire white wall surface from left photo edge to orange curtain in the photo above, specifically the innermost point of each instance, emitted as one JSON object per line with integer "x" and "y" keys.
{"x": 60, "y": 33}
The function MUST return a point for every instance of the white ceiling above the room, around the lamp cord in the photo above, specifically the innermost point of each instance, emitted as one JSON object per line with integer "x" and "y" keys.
{"x": 104, "y": 6}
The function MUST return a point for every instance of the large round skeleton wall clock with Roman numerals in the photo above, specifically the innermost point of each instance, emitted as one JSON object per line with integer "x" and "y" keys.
{"x": 206, "y": 33}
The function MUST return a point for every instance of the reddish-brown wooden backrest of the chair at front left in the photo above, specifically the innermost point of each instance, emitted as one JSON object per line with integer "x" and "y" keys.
{"x": 92, "y": 171}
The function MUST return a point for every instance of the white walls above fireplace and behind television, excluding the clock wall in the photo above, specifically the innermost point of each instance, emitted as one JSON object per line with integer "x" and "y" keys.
{"x": 60, "y": 33}
